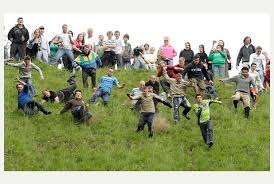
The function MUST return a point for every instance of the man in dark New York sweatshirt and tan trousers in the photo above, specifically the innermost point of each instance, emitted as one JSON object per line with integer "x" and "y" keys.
{"x": 196, "y": 73}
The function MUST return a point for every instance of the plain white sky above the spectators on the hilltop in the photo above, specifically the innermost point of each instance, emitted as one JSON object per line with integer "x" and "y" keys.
{"x": 150, "y": 28}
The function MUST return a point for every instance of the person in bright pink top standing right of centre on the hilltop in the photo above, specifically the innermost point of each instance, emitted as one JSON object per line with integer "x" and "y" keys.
{"x": 168, "y": 51}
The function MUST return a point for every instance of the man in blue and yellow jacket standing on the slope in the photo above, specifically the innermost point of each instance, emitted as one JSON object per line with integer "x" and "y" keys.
{"x": 88, "y": 61}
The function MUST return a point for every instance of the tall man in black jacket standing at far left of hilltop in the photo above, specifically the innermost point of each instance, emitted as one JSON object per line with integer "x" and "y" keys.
{"x": 19, "y": 37}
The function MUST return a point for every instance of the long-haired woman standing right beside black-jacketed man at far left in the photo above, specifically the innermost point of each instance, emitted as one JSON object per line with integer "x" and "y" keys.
{"x": 34, "y": 44}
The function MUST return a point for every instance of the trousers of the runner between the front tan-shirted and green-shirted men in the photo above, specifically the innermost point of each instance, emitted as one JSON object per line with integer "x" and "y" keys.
{"x": 177, "y": 102}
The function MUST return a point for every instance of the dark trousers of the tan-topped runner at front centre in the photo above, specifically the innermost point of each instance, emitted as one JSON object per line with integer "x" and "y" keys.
{"x": 146, "y": 118}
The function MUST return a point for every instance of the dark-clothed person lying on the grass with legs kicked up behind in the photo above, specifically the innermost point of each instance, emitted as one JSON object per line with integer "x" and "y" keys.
{"x": 63, "y": 95}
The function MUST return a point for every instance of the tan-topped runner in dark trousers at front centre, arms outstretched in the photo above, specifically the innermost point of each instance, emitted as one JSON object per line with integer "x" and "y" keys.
{"x": 147, "y": 109}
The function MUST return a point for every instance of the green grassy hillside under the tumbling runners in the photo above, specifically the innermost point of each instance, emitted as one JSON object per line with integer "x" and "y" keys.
{"x": 54, "y": 142}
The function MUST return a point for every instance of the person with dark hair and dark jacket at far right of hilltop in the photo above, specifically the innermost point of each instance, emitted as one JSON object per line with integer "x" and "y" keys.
{"x": 245, "y": 52}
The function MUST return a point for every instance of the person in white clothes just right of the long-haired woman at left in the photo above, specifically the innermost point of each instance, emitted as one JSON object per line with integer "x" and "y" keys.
{"x": 44, "y": 51}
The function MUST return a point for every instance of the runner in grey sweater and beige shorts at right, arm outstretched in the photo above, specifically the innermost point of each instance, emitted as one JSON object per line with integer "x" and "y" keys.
{"x": 242, "y": 92}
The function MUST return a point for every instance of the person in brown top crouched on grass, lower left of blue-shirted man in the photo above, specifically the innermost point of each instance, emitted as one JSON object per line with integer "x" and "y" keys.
{"x": 79, "y": 109}
